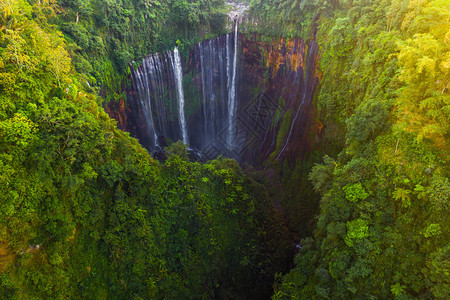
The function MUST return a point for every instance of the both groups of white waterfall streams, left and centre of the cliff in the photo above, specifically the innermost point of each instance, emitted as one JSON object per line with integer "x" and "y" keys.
{"x": 159, "y": 84}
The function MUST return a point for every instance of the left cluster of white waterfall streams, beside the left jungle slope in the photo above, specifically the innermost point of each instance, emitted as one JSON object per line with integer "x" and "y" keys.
{"x": 159, "y": 92}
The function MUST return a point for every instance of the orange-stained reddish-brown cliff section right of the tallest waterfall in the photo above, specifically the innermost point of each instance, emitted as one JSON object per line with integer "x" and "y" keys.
{"x": 285, "y": 74}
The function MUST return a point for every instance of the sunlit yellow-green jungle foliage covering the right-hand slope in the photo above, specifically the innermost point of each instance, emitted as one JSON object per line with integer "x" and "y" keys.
{"x": 383, "y": 226}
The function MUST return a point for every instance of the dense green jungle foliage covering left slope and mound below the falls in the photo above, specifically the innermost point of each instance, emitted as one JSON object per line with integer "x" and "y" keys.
{"x": 87, "y": 213}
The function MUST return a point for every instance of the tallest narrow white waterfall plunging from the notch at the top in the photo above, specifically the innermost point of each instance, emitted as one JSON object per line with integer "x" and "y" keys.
{"x": 232, "y": 93}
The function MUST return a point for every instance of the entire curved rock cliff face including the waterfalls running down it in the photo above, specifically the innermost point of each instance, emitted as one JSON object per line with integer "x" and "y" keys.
{"x": 245, "y": 97}
